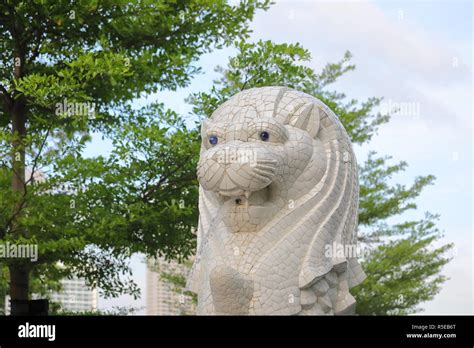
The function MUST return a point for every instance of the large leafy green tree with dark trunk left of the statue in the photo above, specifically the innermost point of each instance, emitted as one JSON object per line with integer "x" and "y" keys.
{"x": 71, "y": 68}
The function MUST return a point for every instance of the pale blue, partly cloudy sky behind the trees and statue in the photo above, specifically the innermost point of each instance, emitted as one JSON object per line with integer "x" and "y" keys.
{"x": 415, "y": 54}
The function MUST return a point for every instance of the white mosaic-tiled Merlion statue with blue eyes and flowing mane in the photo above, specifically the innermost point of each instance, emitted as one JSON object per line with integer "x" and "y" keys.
{"x": 278, "y": 190}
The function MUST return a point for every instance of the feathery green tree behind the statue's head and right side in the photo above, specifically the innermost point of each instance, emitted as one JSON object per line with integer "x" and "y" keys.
{"x": 402, "y": 263}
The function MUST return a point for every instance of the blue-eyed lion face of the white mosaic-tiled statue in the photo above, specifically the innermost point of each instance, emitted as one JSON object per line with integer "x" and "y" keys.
{"x": 251, "y": 165}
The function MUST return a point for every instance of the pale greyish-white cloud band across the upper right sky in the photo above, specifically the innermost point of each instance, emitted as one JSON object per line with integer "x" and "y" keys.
{"x": 366, "y": 30}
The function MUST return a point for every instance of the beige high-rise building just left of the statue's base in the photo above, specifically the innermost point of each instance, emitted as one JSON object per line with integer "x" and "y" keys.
{"x": 161, "y": 297}
